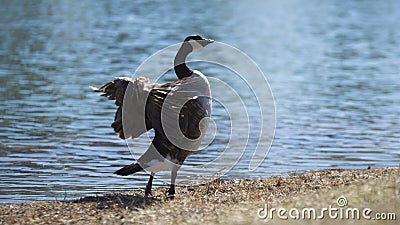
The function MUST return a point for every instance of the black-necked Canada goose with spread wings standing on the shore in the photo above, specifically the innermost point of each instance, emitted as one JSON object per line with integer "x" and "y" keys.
{"x": 178, "y": 112}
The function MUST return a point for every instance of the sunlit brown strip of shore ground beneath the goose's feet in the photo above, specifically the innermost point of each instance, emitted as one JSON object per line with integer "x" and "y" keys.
{"x": 235, "y": 202}
